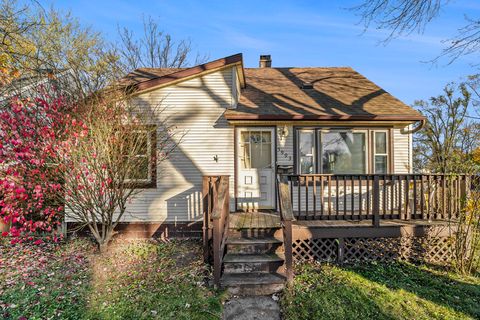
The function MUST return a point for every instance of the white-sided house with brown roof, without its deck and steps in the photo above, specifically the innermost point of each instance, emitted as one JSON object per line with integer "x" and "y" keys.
{"x": 252, "y": 123}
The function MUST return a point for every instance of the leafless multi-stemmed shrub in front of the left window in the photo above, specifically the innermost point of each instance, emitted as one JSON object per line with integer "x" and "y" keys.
{"x": 112, "y": 162}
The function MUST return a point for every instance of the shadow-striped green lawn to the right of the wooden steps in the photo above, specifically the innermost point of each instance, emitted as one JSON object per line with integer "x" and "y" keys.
{"x": 378, "y": 291}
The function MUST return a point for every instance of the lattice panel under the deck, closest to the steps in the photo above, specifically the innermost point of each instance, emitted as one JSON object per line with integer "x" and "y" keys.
{"x": 323, "y": 250}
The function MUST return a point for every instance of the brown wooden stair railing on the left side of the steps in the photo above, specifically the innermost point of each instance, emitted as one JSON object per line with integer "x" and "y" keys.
{"x": 216, "y": 208}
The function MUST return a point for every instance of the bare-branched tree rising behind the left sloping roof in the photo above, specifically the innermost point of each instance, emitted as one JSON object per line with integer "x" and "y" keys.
{"x": 153, "y": 49}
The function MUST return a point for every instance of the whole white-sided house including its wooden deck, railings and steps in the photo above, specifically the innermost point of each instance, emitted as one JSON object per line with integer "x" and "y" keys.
{"x": 277, "y": 165}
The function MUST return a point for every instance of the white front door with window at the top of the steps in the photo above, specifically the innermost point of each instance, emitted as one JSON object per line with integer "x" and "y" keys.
{"x": 255, "y": 168}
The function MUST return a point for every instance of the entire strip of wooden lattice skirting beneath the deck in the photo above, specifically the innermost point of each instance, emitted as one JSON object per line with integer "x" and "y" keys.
{"x": 426, "y": 249}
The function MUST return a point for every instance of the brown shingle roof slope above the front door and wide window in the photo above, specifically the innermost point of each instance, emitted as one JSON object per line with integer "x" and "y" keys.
{"x": 337, "y": 93}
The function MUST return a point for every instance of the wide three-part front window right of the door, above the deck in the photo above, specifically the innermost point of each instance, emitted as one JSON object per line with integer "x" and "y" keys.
{"x": 340, "y": 151}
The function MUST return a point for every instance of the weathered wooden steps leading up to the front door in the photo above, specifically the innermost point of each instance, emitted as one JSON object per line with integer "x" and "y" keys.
{"x": 254, "y": 259}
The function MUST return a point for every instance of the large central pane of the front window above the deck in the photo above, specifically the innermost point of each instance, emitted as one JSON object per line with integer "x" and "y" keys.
{"x": 343, "y": 152}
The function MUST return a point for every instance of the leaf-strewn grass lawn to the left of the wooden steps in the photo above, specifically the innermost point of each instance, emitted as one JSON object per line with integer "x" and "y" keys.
{"x": 135, "y": 280}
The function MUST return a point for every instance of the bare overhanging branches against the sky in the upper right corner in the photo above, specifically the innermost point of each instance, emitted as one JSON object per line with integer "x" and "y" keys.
{"x": 407, "y": 16}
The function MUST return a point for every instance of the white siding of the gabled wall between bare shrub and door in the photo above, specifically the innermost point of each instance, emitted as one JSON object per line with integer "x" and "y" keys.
{"x": 196, "y": 107}
